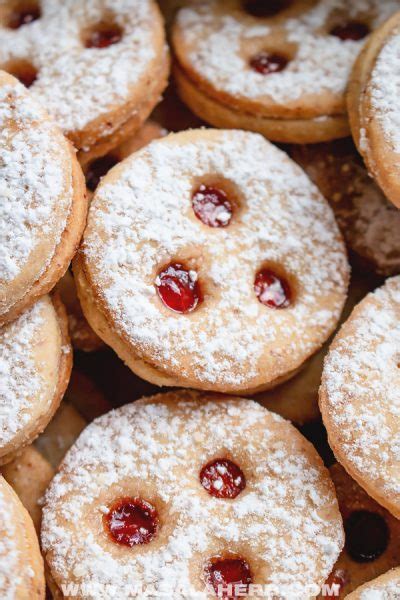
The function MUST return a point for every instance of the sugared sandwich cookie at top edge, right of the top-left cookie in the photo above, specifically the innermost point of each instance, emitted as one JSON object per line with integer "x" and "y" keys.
{"x": 279, "y": 68}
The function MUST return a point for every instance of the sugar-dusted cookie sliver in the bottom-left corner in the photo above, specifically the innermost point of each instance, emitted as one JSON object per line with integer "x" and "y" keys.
{"x": 21, "y": 565}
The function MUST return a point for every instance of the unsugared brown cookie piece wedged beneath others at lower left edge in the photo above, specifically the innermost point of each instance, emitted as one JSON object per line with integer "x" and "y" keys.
{"x": 29, "y": 474}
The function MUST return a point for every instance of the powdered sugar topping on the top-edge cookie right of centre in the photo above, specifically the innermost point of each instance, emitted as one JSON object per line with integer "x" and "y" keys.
{"x": 220, "y": 42}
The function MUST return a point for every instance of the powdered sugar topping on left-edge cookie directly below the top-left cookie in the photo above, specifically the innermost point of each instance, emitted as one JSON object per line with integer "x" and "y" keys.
{"x": 35, "y": 186}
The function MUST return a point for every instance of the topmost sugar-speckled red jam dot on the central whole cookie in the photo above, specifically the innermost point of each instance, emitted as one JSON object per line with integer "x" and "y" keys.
{"x": 212, "y": 206}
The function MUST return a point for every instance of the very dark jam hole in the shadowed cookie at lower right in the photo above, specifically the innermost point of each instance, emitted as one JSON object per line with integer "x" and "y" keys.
{"x": 367, "y": 536}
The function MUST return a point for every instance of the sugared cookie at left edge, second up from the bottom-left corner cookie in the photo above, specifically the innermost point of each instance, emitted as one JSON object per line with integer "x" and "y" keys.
{"x": 36, "y": 360}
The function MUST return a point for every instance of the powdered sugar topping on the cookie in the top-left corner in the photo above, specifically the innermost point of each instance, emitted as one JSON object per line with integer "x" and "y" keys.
{"x": 77, "y": 84}
